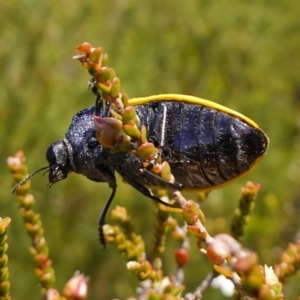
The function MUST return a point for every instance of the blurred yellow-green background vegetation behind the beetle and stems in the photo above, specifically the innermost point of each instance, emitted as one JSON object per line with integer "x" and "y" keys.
{"x": 242, "y": 54}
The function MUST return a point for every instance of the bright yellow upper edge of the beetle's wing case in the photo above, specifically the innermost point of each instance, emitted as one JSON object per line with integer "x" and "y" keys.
{"x": 191, "y": 100}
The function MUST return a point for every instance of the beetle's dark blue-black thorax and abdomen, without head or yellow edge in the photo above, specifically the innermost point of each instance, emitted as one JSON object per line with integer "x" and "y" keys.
{"x": 204, "y": 147}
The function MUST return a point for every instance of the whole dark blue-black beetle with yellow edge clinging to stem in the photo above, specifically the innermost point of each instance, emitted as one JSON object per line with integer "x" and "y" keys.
{"x": 206, "y": 144}
